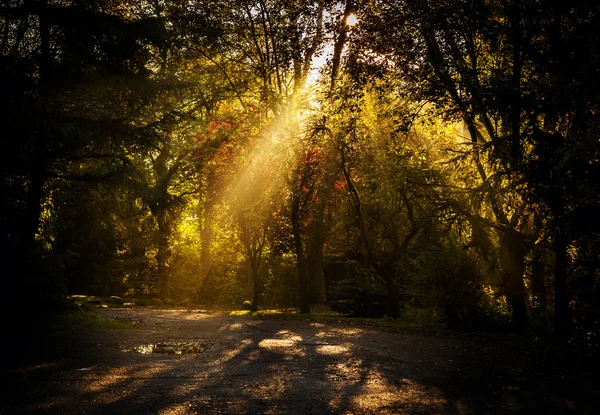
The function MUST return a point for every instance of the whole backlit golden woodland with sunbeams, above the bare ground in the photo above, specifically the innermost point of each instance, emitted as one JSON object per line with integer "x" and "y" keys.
{"x": 428, "y": 160}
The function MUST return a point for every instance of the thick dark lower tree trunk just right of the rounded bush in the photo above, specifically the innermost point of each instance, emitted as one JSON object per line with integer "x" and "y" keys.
{"x": 512, "y": 262}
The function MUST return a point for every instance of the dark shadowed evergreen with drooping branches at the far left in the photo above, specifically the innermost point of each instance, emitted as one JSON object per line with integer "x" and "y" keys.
{"x": 73, "y": 78}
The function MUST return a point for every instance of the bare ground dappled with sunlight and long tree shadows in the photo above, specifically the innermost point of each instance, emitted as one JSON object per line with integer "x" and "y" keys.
{"x": 254, "y": 366}
